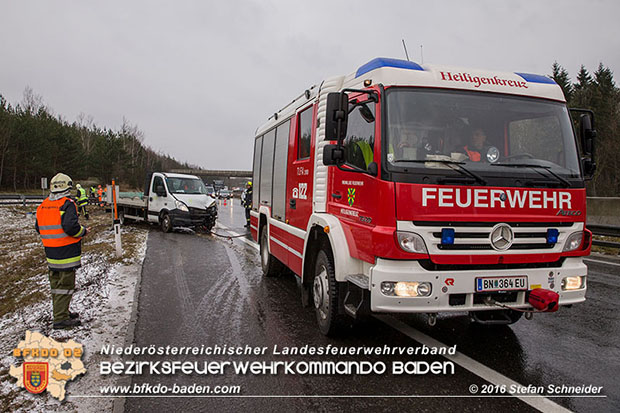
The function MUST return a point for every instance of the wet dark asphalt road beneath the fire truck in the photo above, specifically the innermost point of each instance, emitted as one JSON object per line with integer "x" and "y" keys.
{"x": 206, "y": 290}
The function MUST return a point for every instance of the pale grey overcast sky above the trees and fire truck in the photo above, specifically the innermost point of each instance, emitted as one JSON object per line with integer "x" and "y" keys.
{"x": 198, "y": 77}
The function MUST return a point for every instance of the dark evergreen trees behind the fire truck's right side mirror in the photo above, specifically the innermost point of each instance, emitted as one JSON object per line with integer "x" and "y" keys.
{"x": 598, "y": 92}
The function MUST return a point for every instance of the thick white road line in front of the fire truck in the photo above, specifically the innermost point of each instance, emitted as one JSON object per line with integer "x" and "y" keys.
{"x": 543, "y": 404}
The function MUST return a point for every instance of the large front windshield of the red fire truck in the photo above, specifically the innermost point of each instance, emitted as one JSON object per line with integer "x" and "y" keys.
{"x": 501, "y": 137}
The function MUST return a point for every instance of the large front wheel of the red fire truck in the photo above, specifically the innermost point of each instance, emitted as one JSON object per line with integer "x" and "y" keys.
{"x": 325, "y": 295}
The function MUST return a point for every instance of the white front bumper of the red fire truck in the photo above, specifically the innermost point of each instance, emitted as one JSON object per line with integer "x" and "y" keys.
{"x": 447, "y": 286}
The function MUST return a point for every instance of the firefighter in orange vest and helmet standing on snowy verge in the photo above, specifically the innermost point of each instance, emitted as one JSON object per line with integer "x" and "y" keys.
{"x": 61, "y": 233}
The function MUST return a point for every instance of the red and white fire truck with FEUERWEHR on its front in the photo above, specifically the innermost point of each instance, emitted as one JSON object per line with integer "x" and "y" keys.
{"x": 420, "y": 188}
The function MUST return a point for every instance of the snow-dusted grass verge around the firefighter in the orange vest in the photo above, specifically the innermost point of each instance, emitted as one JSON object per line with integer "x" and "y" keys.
{"x": 104, "y": 299}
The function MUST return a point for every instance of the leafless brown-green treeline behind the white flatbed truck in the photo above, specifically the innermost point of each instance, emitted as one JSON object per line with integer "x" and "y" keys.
{"x": 35, "y": 143}
